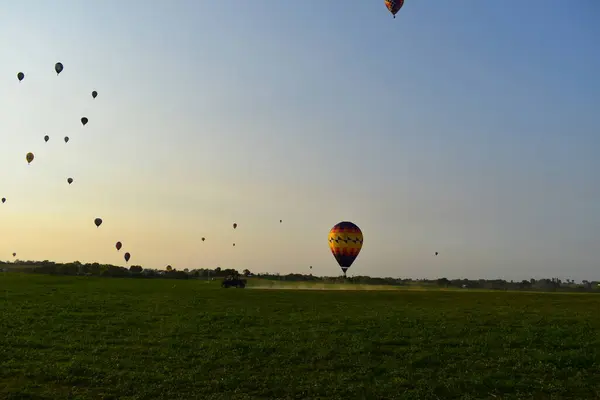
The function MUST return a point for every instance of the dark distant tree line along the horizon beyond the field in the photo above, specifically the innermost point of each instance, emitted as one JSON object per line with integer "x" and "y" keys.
{"x": 137, "y": 271}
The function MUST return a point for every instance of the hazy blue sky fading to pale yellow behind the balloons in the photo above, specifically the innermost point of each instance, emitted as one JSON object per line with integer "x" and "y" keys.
{"x": 468, "y": 128}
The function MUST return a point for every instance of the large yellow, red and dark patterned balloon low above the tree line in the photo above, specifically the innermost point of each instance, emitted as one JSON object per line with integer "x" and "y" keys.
{"x": 345, "y": 242}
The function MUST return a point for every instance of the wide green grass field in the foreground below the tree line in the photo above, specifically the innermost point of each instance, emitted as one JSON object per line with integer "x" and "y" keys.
{"x": 93, "y": 338}
